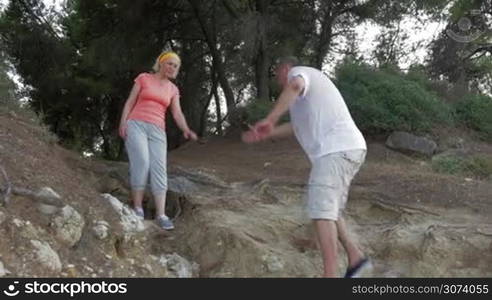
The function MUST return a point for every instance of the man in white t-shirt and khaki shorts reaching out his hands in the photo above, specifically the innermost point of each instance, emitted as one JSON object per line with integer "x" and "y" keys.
{"x": 336, "y": 148}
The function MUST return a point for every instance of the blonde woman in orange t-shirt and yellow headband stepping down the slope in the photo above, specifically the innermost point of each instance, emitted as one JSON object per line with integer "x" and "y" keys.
{"x": 142, "y": 126}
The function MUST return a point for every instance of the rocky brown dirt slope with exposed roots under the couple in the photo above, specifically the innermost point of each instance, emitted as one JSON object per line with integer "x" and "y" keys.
{"x": 238, "y": 212}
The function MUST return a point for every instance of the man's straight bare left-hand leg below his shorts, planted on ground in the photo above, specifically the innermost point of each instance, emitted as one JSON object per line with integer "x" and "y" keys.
{"x": 326, "y": 231}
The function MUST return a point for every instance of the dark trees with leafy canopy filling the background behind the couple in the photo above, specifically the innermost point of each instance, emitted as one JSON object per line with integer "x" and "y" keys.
{"x": 78, "y": 64}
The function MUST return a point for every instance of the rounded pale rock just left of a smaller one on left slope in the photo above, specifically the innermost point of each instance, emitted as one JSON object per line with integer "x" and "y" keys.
{"x": 68, "y": 225}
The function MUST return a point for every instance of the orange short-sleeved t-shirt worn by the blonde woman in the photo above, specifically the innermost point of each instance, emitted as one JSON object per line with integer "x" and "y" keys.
{"x": 153, "y": 99}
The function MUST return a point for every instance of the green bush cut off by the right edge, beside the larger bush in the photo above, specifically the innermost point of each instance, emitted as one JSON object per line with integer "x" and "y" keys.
{"x": 475, "y": 111}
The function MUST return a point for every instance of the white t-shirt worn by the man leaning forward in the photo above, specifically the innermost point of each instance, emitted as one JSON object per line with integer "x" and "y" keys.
{"x": 321, "y": 120}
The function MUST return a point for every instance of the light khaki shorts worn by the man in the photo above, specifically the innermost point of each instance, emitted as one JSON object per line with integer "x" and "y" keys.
{"x": 329, "y": 183}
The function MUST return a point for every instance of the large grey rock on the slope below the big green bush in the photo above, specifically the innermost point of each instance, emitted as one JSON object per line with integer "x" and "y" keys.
{"x": 406, "y": 142}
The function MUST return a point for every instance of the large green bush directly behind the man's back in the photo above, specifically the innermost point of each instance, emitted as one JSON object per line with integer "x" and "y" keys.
{"x": 386, "y": 100}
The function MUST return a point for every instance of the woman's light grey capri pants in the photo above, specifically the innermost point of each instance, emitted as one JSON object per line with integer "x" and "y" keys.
{"x": 146, "y": 145}
